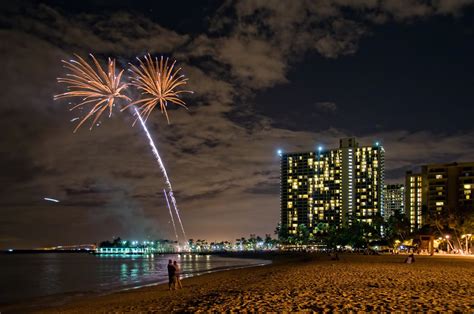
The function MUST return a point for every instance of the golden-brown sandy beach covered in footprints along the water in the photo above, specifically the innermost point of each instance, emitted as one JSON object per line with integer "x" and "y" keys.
{"x": 311, "y": 283}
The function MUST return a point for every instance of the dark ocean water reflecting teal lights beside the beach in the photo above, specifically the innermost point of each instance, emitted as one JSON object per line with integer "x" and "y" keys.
{"x": 25, "y": 277}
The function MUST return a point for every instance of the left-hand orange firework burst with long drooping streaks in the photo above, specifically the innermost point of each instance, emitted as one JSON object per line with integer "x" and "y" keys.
{"x": 96, "y": 87}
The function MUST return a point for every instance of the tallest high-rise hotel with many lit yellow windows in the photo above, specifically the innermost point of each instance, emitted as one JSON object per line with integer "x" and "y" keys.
{"x": 336, "y": 187}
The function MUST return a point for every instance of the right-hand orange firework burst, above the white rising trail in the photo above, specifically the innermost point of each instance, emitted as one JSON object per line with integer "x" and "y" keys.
{"x": 159, "y": 83}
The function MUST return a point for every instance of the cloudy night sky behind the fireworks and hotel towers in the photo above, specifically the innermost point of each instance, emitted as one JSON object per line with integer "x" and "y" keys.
{"x": 266, "y": 75}
